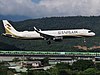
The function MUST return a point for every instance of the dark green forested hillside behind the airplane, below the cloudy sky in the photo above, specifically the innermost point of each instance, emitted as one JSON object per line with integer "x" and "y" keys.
{"x": 92, "y": 23}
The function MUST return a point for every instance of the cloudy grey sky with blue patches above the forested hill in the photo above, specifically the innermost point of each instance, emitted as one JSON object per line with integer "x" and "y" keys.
{"x": 50, "y": 8}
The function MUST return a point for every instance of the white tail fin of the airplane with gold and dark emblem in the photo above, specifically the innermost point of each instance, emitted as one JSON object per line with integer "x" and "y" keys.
{"x": 8, "y": 27}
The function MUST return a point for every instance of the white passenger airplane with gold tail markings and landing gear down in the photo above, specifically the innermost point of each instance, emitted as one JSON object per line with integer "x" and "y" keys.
{"x": 48, "y": 35}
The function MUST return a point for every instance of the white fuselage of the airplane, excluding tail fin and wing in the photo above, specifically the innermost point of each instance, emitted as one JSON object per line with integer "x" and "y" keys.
{"x": 56, "y": 33}
